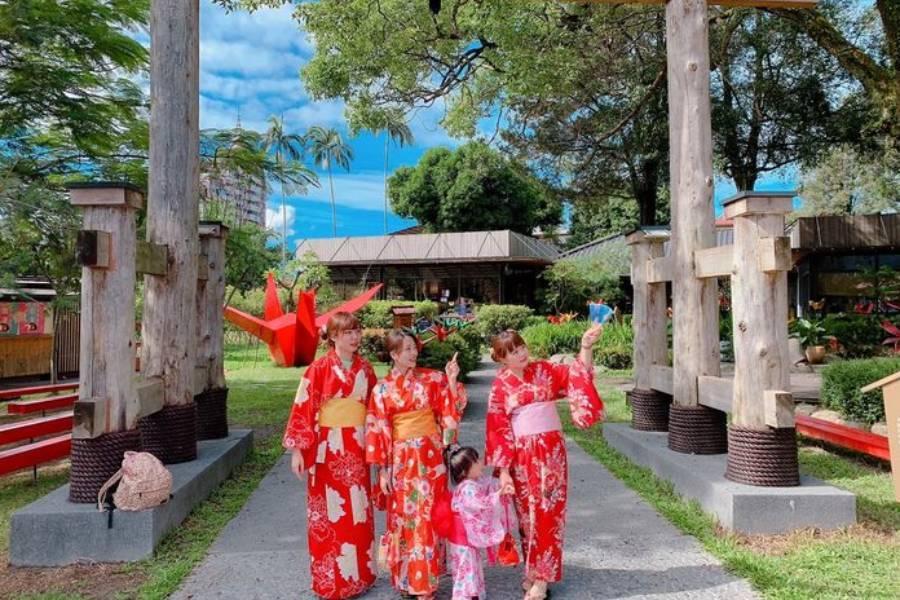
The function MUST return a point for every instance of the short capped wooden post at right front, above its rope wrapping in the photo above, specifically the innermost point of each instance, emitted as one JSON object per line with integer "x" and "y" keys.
{"x": 759, "y": 303}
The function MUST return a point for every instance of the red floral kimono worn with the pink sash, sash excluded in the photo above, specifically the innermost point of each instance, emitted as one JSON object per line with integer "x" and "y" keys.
{"x": 538, "y": 463}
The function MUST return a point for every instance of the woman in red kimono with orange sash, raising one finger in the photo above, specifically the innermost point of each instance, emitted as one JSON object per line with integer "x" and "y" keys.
{"x": 413, "y": 415}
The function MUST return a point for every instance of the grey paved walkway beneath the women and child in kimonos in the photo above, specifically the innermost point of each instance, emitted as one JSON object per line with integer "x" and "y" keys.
{"x": 616, "y": 545}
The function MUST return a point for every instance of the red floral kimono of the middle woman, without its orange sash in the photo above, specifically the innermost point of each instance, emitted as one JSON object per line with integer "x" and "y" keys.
{"x": 417, "y": 468}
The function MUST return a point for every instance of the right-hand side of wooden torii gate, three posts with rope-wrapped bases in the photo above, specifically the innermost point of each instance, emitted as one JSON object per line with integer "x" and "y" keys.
{"x": 755, "y": 264}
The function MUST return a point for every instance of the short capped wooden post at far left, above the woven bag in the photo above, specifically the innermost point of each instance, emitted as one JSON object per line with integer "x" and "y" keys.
{"x": 107, "y": 399}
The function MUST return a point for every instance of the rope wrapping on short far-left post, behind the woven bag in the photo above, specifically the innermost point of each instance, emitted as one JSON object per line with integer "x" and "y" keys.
{"x": 96, "y": 460}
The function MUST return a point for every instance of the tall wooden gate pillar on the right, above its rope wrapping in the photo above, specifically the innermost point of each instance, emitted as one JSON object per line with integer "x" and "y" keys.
{"x": 695, "y": 301}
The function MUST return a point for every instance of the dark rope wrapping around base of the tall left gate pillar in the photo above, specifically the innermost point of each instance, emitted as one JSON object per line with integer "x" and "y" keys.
{"x": 171, "y": 434}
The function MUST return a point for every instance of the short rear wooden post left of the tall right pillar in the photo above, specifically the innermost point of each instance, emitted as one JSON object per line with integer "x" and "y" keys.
{"x": 649, "y": 307}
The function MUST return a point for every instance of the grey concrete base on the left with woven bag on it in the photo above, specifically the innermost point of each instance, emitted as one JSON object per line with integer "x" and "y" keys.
{"x": 53, "y": 531}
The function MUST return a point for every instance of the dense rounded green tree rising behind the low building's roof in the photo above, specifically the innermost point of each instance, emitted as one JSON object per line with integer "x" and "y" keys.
{"x": 472, "y": 188}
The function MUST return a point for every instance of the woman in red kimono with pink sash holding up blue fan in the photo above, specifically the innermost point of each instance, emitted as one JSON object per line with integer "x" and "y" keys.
{"x": 525, "y": 441}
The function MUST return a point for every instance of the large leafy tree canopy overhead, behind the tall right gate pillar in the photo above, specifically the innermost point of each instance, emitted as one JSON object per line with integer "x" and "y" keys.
{"x": 578, "y": 90}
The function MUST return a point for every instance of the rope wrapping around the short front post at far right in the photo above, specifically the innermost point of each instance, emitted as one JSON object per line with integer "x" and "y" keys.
{"x": 763, "y": 457}
